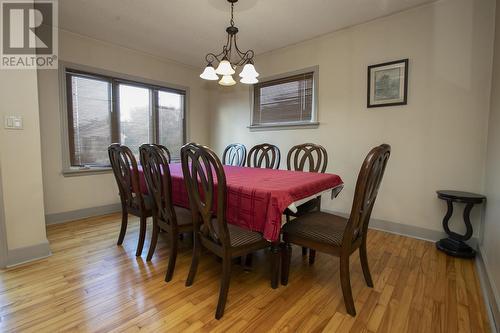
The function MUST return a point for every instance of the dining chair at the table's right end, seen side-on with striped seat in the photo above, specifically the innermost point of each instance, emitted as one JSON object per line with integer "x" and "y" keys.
{"x": 339, "y": 236}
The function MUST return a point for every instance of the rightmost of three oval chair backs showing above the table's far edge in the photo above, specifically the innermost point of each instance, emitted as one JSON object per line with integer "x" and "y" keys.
{"x": 310, "y": 155}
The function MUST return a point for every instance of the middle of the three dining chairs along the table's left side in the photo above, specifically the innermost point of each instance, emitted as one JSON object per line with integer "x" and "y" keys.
{"x": 172, "y": 219}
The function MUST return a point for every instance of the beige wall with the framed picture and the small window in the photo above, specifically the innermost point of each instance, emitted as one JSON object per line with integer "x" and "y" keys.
{"x": 438, "y": 140}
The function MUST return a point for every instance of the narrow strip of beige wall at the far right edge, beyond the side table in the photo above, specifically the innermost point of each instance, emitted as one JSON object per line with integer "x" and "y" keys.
{"x": 490, "y": 247}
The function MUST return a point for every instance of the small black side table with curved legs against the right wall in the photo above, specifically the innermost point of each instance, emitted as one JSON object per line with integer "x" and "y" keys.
{"x": 455, "y": 244}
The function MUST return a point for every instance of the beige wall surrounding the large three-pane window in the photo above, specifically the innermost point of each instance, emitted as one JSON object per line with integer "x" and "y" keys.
{"x": 63, "y": 194}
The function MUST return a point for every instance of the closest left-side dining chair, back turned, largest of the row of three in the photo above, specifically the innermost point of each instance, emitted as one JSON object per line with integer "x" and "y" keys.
{"x": 207, "y": 191}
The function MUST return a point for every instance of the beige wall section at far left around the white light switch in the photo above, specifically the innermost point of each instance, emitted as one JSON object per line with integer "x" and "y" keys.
{"x": 20, "y": 161}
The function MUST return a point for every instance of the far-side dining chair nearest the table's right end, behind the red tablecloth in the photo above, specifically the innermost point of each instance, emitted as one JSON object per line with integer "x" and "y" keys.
{"x": 312, "y": 158}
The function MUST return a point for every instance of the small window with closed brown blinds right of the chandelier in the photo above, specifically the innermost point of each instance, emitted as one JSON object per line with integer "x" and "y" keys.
{"x": 285, "y": 101}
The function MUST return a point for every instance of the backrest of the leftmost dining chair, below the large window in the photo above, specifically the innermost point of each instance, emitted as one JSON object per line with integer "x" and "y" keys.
{"x": 126, "y": 173}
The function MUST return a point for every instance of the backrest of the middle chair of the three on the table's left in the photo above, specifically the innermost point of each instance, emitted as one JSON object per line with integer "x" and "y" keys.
{"x": 155, "y": 165}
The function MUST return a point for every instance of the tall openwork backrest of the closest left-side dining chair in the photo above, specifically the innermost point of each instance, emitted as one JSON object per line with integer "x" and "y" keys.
{"x": 206, "y": 186}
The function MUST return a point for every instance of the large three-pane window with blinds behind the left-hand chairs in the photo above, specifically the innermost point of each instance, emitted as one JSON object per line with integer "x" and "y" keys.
{"x": 103, "y": 109}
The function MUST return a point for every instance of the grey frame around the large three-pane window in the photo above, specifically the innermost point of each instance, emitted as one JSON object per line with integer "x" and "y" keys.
{"x": 68, "y": 170}
